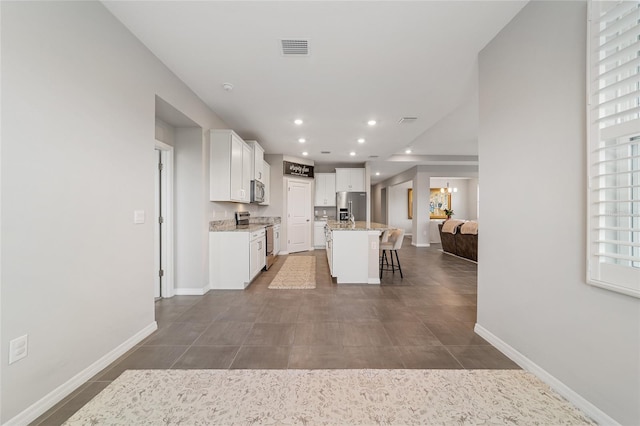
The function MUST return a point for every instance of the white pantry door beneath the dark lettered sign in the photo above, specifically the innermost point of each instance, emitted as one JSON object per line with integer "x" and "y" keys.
{"x": 298, "y": 216}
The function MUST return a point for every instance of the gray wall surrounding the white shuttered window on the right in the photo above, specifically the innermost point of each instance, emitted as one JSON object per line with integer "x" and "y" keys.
{"x": 532, "y": 293}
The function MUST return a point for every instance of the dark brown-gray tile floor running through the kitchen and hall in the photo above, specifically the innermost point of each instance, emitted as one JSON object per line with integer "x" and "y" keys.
{"x": 424, "y": 320}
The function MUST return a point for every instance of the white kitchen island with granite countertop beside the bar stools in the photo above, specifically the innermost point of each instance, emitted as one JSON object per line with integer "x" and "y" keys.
{"x": 353, "y": 251}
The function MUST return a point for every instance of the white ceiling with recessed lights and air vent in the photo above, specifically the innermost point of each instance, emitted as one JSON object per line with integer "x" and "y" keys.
{"x": 367, "y": 59}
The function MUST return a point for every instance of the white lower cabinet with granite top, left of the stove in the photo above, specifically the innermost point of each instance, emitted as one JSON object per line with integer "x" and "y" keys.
{"x": 235, "y": 258}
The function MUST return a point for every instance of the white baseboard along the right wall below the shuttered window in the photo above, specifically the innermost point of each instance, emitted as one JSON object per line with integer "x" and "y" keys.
{"x": 572, "y": 396}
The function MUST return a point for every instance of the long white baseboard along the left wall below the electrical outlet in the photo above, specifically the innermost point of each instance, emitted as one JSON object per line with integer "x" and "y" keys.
{"x": 52, "y": 398}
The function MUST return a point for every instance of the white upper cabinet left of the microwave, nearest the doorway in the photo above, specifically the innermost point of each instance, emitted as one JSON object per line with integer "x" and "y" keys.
{"x": 230, "y": 167}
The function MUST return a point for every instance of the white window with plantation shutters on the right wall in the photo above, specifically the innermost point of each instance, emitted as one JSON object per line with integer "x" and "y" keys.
{"x": 613, "y": 154}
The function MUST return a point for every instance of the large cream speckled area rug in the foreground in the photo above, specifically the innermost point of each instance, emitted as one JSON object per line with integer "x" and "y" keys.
{"x": 309, "y": 397}
